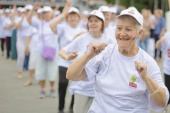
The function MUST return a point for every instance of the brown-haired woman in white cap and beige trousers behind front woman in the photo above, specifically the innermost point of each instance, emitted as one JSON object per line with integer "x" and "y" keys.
{"x": 84, "y": 91}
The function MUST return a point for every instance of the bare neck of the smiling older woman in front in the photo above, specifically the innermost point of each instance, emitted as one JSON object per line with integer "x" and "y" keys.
{"x": 130, "y": 52}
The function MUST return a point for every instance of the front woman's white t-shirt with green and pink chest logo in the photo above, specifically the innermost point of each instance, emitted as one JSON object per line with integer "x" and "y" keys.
{"x": 118, "y": 86}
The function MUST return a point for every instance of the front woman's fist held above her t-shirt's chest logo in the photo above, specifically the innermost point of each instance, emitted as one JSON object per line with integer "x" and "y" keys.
{"x": 142, "y": 69}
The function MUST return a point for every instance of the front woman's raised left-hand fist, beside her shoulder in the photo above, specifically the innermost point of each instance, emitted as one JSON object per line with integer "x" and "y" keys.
{"x": 95, "y": 48}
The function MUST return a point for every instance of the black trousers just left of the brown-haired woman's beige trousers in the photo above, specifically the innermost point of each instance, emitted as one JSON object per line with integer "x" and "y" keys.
{"x": 62, "y": 89}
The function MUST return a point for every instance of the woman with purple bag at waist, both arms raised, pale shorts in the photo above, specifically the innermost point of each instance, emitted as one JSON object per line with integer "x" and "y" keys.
{"x": 46, "y": 66}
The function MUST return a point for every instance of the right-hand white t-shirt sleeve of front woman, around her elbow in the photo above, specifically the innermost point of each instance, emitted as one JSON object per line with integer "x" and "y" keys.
{"x": 155, "y": 73}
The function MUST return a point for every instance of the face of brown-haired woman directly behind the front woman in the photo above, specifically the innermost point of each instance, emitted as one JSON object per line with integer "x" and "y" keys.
{"x": 94, "y": 24}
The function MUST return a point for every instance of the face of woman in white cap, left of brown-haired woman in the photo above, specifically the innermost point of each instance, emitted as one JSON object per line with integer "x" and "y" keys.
{"x": 73, "y": 19}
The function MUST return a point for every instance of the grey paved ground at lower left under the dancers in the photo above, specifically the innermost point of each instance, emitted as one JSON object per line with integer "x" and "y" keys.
{"x": 15, "y": 98}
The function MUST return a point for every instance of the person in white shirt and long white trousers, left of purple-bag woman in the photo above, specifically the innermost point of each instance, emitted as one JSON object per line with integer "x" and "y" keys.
{"x": 23, "y": 31}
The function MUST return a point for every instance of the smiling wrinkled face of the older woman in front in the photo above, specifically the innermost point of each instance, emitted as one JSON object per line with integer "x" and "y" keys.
{"x": 126, "y": 33}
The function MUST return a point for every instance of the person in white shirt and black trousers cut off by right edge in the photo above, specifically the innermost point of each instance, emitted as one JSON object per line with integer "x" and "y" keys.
{"x": 163, "y": 44}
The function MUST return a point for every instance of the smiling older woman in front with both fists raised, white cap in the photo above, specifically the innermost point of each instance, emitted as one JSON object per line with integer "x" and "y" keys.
{"x": 127, "y": 79}
